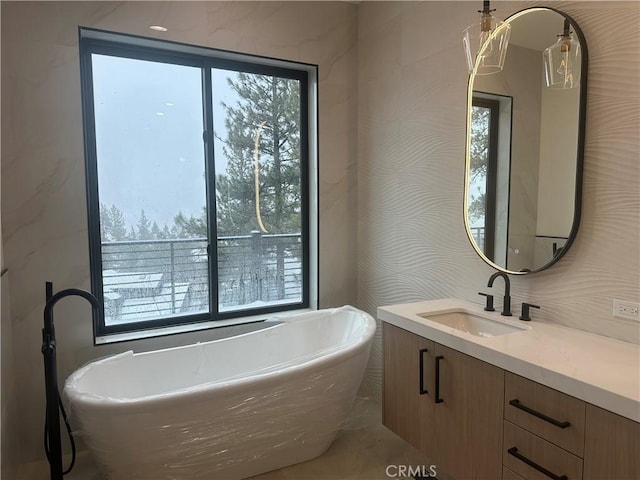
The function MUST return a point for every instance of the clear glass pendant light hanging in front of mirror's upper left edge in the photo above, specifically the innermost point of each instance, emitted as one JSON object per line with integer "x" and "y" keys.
{"x": 485, "y": 43}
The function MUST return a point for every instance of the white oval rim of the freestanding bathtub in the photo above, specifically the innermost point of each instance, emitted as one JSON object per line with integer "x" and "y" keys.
{"x": 317, "y": 360}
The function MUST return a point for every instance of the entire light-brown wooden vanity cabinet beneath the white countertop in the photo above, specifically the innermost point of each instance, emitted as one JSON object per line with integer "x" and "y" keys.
{"x": 477, "y": 421}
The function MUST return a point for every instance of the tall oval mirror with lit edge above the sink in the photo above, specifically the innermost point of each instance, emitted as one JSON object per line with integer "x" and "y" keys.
{"x": 525, "y": 145}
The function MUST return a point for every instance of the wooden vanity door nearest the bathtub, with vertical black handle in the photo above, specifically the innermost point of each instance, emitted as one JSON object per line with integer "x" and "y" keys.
{"x": 408, "y": 408}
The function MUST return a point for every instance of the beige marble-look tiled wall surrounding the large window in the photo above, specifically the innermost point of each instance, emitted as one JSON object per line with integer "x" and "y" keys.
{"x": 43, "y": 192}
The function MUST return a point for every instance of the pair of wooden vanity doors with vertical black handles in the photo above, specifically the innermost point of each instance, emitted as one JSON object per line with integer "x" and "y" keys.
{"x": 457, "y": 422}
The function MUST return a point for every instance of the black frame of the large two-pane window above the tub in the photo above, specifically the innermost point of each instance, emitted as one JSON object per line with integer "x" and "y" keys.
{"x": 93, "y": 41}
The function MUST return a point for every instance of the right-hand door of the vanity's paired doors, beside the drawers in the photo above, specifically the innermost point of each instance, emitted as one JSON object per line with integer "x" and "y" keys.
{"x": 469, "y": 417}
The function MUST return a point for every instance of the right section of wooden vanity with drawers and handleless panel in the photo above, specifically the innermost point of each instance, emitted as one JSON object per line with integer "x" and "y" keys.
{"x": 566, "y": 436}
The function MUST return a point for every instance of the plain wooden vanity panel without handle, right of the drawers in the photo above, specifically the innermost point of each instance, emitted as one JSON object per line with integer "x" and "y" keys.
{"x": 611, "y": 446}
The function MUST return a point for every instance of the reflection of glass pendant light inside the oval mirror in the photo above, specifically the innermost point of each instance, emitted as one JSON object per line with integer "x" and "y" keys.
{"x": 562, "y": 61}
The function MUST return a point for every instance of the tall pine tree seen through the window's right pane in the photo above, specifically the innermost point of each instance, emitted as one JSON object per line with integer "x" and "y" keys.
{"x": 268, "y": 106}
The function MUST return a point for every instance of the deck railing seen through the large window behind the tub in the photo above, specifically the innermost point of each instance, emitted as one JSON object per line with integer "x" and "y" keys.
{"x": 146, "y": 279}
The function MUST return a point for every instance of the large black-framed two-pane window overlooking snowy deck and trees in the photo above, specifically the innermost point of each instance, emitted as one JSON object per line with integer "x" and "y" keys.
{"x": 198, "y": 180}
